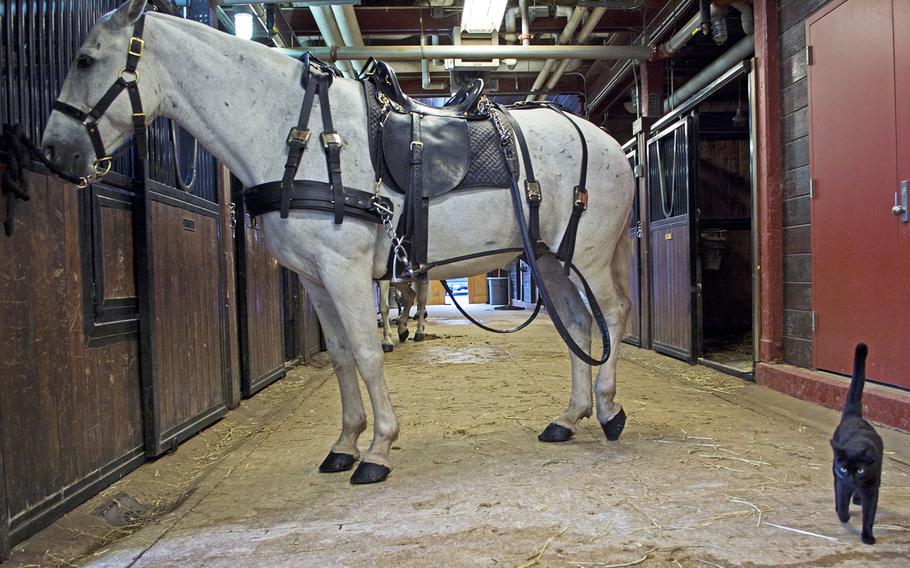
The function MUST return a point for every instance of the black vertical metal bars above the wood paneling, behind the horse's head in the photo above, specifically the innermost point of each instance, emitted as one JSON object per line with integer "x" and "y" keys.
{"x": 39, "y": 41}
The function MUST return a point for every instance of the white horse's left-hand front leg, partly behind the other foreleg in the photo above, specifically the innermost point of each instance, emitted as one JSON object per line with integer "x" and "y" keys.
{"x": 344, "y": 451}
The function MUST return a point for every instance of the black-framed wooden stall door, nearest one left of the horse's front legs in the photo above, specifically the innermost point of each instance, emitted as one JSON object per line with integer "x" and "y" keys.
{"x": 184, "y": 352}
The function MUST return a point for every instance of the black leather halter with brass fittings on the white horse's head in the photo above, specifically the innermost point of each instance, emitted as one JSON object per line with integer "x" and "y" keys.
{"x": 127, "y": 80}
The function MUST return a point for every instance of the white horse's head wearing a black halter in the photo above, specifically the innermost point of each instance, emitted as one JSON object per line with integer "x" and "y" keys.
{"x": 86, "y": 126}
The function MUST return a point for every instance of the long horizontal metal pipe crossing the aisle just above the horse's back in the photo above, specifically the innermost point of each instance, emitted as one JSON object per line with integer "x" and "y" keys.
{"x": 415, "y": 52}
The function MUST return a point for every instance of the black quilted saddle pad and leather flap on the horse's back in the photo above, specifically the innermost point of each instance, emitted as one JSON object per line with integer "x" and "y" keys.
{"x": 457, "y": 154}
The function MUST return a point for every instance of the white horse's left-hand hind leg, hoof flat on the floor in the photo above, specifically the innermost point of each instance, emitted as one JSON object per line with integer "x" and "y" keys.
{"x": 574, "y": 313}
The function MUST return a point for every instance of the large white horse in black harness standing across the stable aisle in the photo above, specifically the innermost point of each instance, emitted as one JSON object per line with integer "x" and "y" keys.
{"x": 238, "y": 98}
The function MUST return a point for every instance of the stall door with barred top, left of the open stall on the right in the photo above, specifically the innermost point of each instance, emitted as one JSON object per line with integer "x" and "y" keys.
{"x": 671, "y": 234}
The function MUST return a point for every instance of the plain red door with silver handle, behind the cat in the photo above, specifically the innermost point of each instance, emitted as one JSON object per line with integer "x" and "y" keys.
{"x": 860, "y": 250}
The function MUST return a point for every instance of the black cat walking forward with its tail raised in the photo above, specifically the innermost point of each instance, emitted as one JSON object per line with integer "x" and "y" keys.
{"x": 858, "y": 452}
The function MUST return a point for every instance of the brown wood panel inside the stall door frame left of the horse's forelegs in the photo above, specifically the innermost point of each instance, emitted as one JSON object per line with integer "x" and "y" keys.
{"x": 188, "y": 342}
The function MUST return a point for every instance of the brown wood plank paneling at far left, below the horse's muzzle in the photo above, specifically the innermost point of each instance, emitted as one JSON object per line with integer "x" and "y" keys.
{"x": 70, "y": 415}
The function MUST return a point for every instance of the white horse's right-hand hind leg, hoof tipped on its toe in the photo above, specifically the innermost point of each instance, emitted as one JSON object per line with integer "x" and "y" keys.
{"x": 612, "y": 291}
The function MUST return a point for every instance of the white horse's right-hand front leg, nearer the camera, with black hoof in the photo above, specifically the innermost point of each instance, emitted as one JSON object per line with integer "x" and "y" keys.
{"x": 350, "y": 295}
